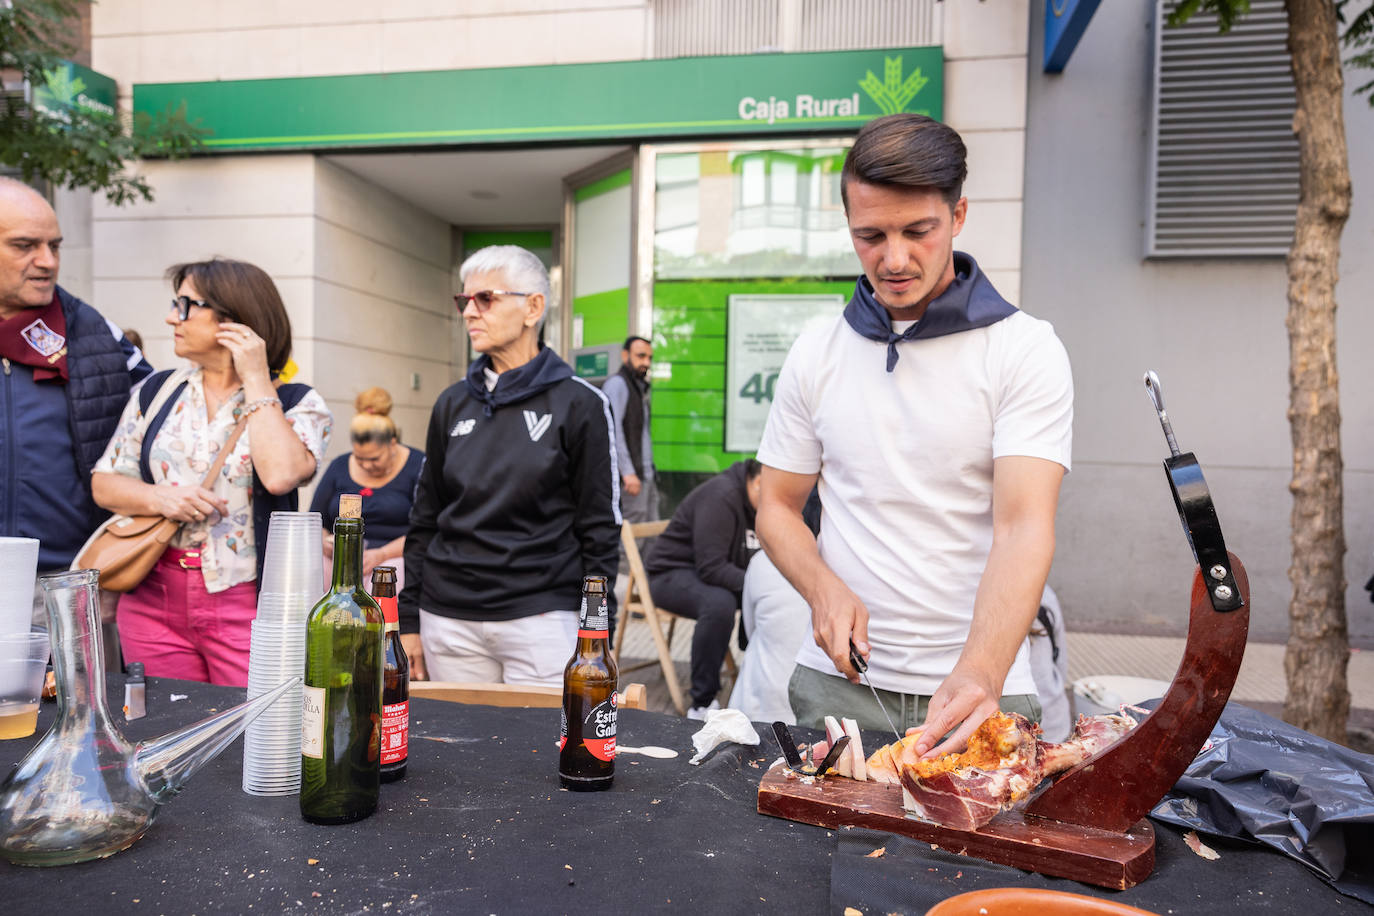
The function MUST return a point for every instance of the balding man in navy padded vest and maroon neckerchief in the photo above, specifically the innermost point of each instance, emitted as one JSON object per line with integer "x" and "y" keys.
{"x": 68, "y": 376}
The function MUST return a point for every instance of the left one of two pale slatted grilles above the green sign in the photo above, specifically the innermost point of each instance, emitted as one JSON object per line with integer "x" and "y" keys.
{"x": 700, "y": 28}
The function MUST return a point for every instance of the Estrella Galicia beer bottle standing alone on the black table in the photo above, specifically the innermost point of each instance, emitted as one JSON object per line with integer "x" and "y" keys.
{"x": 587, "y": 746}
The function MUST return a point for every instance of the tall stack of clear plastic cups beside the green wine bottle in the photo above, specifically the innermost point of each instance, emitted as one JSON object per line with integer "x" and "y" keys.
{"x": 291, "y": 588}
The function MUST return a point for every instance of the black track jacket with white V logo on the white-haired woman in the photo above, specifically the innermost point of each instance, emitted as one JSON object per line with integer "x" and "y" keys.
{"x": 520, "y": 498}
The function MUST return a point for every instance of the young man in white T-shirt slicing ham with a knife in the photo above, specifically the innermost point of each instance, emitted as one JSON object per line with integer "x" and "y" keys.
{"x": 938, "y": 420}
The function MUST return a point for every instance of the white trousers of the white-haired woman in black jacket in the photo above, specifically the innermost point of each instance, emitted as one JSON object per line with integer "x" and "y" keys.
{"x": 528, "y": 650}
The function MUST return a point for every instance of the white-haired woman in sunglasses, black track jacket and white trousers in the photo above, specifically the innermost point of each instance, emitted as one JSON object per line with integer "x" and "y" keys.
{"x": 519, "y": 496}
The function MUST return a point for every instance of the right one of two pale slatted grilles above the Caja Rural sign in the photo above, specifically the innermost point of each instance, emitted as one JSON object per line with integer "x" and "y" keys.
{"x": 851, "y": 25}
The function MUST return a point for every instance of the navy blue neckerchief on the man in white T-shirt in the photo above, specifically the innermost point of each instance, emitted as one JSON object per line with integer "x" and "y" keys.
{"x": 969, "y": 303}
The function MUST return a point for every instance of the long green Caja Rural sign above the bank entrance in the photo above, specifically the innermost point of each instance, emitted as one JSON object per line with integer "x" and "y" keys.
{"x": 706, "y": 97}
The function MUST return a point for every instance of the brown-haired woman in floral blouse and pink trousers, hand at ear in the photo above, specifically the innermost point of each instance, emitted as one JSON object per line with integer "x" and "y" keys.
{"x": 190, "y": 619}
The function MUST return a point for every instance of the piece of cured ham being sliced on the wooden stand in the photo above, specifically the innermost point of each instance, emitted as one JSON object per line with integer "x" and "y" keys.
{"x": 1004, "y": 764}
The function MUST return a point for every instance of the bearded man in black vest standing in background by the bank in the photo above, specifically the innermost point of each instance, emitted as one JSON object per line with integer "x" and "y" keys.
{"x": 629, "y": 395}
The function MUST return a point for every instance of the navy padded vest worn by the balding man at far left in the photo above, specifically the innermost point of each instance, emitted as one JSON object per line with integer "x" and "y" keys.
{"x": 52, "y": 435}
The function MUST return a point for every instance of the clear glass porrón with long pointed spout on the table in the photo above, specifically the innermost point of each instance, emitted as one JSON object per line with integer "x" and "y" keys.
{"x": 85, "y": 792}
